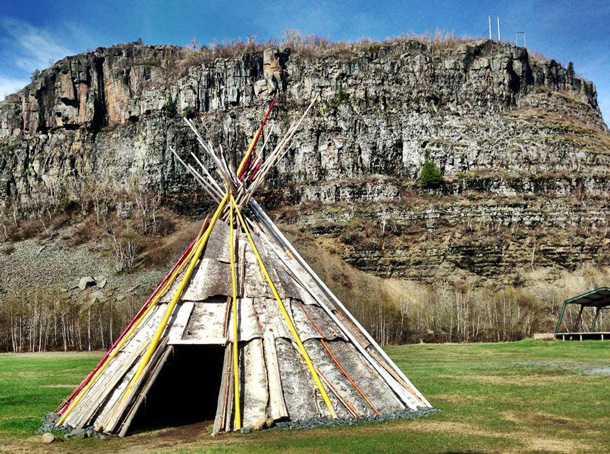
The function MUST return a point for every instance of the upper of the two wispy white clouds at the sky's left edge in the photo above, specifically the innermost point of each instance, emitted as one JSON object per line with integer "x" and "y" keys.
{"x": 31, "y": 47}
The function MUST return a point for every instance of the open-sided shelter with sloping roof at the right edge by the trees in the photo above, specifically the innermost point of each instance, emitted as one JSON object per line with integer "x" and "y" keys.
{"x": 596, "y": 300}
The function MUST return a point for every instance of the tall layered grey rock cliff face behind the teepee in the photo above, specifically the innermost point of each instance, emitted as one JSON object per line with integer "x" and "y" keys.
{"x": 520, "y": 141}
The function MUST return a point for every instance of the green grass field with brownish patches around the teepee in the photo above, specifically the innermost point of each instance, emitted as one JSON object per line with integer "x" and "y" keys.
{"x": 516, "y": 397}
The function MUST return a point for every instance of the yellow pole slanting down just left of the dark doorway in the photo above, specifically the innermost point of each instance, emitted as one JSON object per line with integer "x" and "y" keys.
{"x": 170, "y": 307}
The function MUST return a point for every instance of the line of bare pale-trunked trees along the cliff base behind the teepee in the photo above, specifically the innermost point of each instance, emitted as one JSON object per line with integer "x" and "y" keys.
{"x": 39, "y": 319}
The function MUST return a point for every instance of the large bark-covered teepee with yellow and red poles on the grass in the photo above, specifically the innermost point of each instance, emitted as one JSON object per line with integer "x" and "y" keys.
{"x": 241, "y": 331}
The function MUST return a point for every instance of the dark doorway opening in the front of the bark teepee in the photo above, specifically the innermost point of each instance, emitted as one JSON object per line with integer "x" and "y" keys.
{"x": 185, "y": 391}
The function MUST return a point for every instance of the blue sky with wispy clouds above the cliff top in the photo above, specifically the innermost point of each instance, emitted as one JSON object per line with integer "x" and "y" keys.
{"x": 34, "y": 34}
